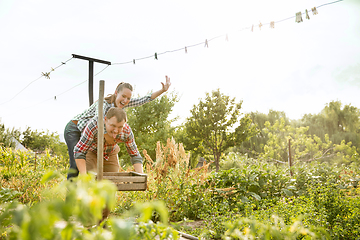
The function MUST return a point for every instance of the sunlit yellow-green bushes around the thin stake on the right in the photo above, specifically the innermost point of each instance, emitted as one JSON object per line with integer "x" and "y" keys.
{"x": 304, "y": 147}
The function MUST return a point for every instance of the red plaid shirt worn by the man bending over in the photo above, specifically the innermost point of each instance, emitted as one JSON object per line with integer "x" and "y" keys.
{"x": 88, "y": 142}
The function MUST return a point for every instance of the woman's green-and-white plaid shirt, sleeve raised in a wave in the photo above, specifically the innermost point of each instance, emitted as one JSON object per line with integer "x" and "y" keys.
{"x": 84, "y": 117}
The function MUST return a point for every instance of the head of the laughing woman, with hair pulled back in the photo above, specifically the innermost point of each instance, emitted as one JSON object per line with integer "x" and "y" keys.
{"x": 122, "y": 95}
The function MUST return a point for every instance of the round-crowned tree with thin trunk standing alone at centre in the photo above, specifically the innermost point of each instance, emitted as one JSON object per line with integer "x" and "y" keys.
{"x": 212, "y": 124}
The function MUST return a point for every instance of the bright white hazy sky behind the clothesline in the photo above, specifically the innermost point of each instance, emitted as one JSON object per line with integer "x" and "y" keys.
{"x": 294, "y": 67}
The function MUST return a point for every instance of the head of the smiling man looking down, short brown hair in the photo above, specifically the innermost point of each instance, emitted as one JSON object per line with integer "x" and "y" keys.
{"x": 114, "y": 121}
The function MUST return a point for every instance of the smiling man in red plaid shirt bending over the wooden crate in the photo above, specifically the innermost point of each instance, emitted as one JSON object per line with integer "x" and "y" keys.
{"x": 116, "y": 130}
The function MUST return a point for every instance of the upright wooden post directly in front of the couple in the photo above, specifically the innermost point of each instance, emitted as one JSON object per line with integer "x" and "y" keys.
{"x": 100, "y": 145}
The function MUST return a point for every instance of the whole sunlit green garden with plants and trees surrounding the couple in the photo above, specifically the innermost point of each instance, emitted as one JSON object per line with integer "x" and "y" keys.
{"x": 272, "y": 179}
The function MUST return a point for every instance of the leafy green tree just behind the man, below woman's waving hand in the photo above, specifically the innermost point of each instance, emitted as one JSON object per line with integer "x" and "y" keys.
{"x": 150, "y": 123}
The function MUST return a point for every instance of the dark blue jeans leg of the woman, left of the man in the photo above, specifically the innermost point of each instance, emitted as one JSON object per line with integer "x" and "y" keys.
{"x": 72, "y": 136}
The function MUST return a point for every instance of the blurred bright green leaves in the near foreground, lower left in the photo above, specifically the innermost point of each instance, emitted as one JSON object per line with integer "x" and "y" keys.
{"x": 74, "y": 210}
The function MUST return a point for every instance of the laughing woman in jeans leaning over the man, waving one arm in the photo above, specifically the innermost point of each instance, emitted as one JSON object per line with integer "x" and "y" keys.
{"x": 121, "y": 99}
